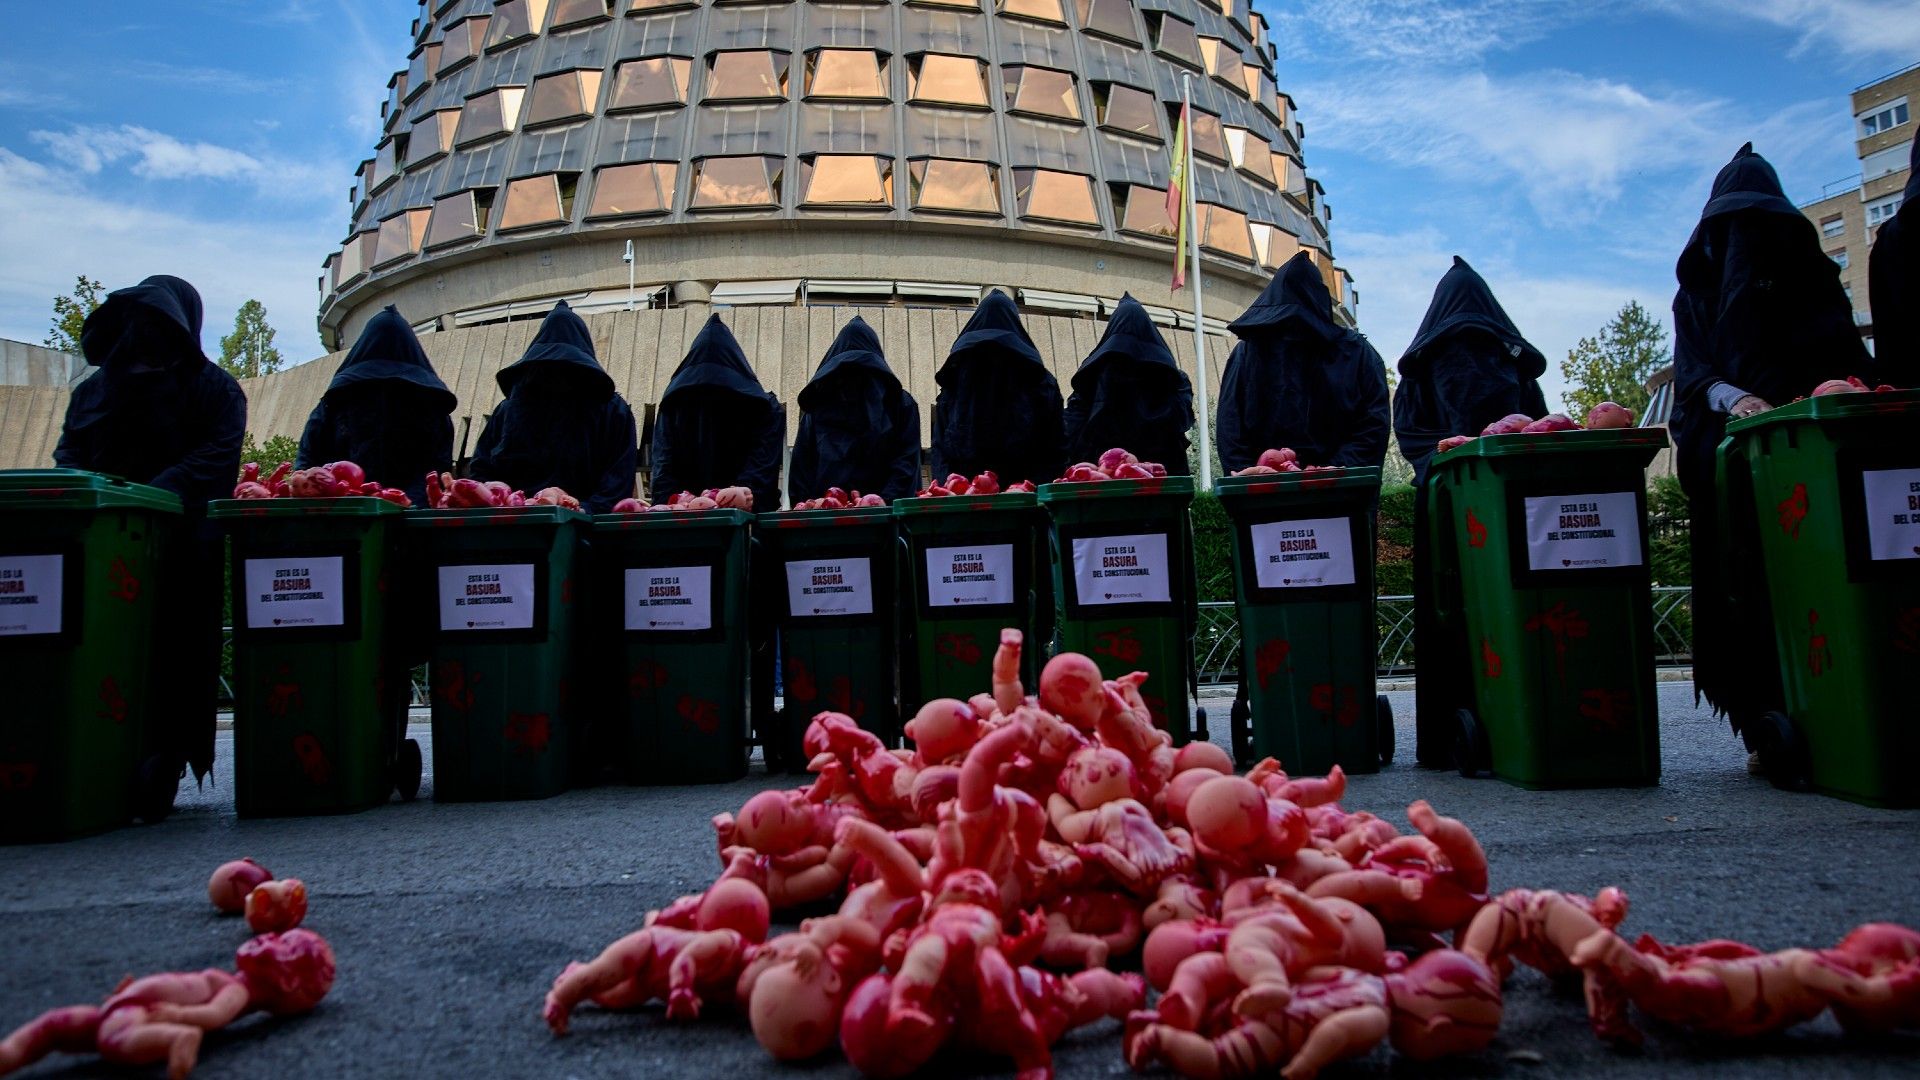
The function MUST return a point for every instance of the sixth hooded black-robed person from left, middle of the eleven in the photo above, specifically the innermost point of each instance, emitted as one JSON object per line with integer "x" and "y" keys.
{"x": 999, "y": 406}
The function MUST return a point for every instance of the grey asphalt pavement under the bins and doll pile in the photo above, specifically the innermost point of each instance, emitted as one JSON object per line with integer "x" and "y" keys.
{"x": 450, "y": 921}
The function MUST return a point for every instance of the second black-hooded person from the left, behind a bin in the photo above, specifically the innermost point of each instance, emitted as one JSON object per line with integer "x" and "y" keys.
{"x": 385, "y": 410}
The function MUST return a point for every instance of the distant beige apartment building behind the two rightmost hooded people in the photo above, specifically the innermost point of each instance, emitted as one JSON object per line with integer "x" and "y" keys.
{"x": 1852, "y": 212}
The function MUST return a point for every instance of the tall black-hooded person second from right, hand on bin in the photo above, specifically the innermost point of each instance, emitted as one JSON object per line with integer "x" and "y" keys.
{"x": 1760, "y": 314}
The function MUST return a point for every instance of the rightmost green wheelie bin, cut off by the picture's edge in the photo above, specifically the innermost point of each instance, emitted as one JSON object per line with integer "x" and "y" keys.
{"x": 1833, "y": 499}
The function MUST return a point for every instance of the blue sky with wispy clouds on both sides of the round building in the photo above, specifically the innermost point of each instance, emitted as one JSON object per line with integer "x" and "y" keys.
{"x": 1564, "y": 147}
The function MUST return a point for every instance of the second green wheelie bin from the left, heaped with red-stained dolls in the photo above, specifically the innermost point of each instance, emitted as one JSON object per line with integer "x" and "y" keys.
{"x": 320, "y": 691}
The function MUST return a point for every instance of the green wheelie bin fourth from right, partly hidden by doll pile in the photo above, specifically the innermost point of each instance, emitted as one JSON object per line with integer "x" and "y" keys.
{"x": 1124, "y": 572}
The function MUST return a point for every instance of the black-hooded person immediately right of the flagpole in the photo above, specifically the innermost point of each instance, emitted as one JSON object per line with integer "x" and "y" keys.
{"x": 1301, "y": 380}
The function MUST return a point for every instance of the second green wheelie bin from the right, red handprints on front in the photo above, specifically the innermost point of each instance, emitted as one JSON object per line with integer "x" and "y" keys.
{"x": 1545, "y": 593}
